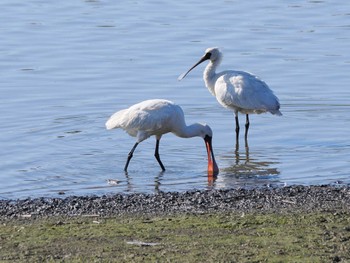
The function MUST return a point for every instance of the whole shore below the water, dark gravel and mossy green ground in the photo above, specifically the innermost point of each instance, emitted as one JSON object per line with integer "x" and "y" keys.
{"x": 288, "y": 224}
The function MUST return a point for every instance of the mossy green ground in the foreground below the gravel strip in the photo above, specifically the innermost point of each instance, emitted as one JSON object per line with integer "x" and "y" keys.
{"x": 292, "y": 237}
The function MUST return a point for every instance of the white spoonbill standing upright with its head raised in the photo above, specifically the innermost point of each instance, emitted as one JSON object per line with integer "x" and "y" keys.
{"x": 237, "y": 90}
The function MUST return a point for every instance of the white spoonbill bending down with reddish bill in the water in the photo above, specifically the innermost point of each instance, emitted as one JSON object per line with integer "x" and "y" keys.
{"x": 157, "y": 117}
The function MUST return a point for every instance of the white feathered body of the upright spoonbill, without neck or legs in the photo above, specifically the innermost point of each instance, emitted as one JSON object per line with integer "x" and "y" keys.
{"x": 246, "y": 93}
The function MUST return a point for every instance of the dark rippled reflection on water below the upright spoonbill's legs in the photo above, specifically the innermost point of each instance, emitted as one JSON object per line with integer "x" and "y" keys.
{"x": 246, "y": 169}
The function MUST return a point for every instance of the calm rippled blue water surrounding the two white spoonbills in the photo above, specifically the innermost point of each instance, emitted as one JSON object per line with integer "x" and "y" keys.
{"x": 66, "y": 66}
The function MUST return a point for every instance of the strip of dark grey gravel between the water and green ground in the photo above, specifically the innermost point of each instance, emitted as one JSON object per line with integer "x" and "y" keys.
{"x": 285, "y": 199}
